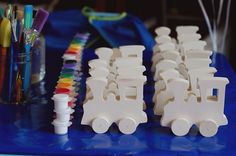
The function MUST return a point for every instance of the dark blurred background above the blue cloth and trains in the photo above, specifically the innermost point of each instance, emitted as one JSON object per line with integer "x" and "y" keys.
{"x": 154, "y": 13}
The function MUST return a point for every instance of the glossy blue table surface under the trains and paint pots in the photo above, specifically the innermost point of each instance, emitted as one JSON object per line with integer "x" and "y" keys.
{"x": 27, "y": 129}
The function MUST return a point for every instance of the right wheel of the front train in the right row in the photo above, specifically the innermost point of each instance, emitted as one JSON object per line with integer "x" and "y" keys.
{"x": 208, "y": 128}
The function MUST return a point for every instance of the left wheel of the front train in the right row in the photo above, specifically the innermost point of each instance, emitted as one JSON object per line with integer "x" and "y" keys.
{"x": 180, "y": 127}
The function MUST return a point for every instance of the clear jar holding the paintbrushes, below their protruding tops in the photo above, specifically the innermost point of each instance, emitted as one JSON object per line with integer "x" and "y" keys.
{"x": 17, "y": 82}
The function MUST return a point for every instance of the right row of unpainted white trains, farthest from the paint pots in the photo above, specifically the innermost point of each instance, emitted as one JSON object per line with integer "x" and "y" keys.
{"x": 186, "y": 91}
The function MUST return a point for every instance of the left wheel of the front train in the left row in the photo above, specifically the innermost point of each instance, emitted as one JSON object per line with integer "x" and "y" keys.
{"x": 100, "y": 125}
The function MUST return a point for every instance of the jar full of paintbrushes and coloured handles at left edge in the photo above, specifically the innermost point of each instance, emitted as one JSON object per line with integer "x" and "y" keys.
{"x": 19, "y": 30}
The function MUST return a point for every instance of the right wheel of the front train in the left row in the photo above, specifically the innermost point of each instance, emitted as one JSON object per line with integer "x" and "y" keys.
{"x": 127, "y": 125}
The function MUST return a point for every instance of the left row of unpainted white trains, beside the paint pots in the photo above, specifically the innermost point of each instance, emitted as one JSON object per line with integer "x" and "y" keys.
{"x": 115, "y": 90}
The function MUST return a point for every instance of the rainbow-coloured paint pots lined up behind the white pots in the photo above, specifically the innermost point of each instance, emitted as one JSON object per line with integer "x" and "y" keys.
{"x": 68, "y": 79}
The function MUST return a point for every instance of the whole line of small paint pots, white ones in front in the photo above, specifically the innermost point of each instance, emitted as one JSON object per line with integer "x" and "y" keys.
{"x": 68, "y": 83}
